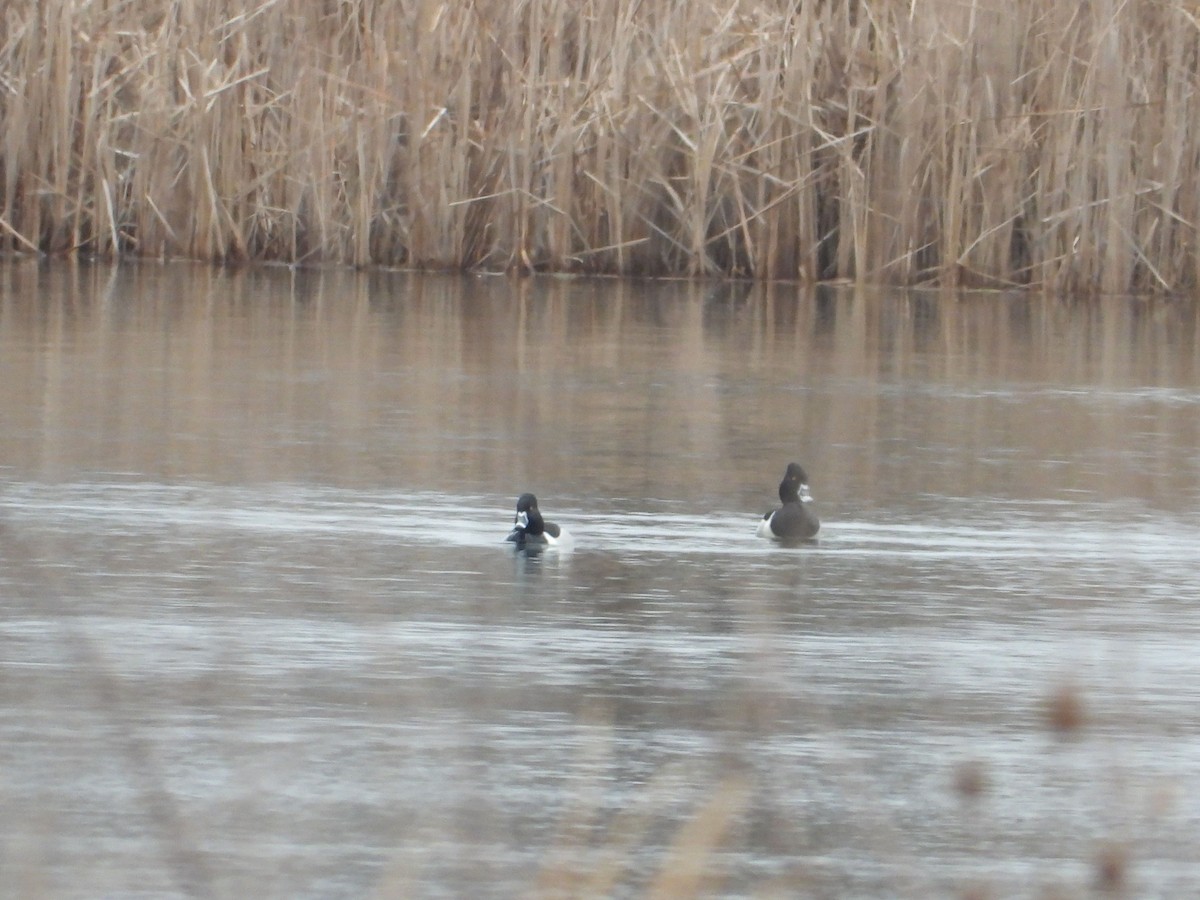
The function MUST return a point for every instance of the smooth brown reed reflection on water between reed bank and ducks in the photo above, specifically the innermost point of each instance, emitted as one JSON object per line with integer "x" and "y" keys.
{"x": 627, "y": 391}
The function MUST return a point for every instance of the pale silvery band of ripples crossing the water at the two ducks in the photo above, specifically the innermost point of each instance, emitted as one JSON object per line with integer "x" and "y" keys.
{"x": 988, "y": 530}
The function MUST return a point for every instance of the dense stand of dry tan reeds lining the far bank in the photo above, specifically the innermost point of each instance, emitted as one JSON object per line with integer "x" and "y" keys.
{"x": 950, "y": 142}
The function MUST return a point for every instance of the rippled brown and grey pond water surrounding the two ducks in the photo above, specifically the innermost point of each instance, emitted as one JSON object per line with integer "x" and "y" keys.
{"x": 261, "y": 632}
